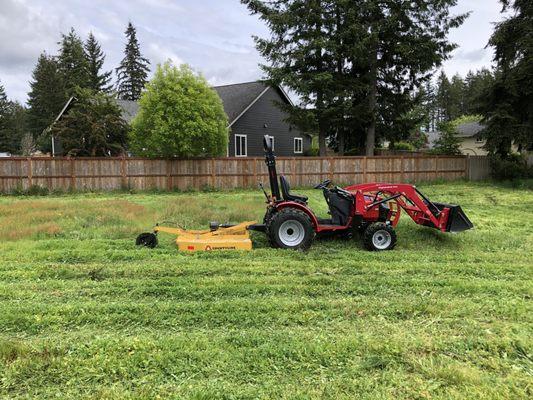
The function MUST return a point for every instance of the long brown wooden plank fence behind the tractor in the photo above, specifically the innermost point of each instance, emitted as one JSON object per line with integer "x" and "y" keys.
{"x": 103, "y": 174}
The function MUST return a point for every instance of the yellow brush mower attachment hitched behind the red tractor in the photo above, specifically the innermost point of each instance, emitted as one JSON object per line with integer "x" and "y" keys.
{"x": 218, "y": 237}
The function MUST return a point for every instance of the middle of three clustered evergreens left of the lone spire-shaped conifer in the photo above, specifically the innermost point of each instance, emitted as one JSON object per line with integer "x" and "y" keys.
{"x": 73, "y": 63}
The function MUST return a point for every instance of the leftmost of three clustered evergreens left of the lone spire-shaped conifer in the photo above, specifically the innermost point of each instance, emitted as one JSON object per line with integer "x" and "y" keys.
{"x": 47, "y": 97}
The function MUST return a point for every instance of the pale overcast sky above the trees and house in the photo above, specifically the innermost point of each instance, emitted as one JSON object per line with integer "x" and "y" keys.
{"x": 214, "y": 36}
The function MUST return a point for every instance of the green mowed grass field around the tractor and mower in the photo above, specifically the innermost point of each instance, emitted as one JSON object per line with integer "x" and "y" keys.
{"x": 84, "y": 314}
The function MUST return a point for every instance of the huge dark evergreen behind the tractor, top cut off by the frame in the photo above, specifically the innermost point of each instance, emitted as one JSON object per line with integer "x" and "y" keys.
{"x": 354, "y": 61}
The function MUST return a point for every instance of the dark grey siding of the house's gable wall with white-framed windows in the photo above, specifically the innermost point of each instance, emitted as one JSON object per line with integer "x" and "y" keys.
{"x": 252, "y": 124}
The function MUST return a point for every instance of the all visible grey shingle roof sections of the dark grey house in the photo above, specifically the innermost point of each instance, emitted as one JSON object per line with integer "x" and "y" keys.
{"x": 236, "y": 99}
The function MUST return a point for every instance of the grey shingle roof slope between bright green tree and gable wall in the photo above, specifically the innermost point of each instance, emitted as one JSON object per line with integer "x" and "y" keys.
{"x": 239, "y": 96}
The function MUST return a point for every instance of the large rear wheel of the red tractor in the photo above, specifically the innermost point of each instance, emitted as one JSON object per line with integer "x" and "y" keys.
{"x": 290, "y": 229}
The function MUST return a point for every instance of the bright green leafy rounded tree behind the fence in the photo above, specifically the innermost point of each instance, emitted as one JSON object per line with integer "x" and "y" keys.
{"x": 180, "y": 116}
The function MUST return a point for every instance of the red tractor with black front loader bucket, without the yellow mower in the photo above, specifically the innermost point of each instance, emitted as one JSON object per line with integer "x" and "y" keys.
{"x": 374, "y": 209}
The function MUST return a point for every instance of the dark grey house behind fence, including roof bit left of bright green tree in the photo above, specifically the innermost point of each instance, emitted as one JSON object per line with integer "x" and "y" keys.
{"x": 252, "y": 113}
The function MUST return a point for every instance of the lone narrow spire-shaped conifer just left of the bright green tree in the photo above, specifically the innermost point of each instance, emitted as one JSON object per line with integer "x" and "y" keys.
{"x": 133, "y": 70}
